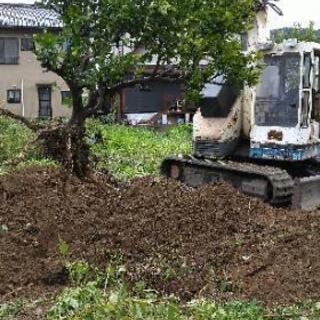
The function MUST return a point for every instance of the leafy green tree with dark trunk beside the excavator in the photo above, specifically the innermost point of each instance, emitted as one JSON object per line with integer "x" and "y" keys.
{"x": 191, "y": 41}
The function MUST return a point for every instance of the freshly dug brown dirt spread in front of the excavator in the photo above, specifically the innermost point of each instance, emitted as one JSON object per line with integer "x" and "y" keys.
{"x": 212, "y": 241}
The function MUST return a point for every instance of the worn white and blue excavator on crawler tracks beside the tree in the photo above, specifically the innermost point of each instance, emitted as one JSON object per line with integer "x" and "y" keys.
{"x": 264, "y": 140}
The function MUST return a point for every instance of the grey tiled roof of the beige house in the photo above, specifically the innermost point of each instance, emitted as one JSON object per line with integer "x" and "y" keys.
{"x": 27, "y": 16}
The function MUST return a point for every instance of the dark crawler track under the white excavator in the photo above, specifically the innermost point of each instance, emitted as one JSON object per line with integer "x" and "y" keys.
{"x": 272, "y": 184}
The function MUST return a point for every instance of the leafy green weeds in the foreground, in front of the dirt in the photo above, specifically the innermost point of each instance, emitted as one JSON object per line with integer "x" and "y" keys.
{"x": 104, "y": 294}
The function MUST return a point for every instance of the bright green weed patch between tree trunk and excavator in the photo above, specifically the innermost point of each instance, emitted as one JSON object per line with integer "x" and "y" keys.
{"x": 129, "y": 152}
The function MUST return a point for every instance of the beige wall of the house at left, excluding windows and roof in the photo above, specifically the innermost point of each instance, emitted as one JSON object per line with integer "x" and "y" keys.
{"x": 27, "y": 76}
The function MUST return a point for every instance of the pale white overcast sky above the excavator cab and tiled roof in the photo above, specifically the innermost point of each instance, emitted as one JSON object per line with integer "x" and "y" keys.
{"x": 302, "y": 11}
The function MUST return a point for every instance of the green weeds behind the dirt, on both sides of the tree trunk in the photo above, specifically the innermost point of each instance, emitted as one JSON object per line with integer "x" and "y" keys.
{"x": 125, "y": 151}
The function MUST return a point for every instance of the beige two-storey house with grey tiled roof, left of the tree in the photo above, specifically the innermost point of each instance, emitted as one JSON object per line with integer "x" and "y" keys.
{"x": 25, "y": 87}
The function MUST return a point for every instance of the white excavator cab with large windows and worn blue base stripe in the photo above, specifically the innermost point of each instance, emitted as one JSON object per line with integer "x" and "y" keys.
{"x": 286, "y": 107}
